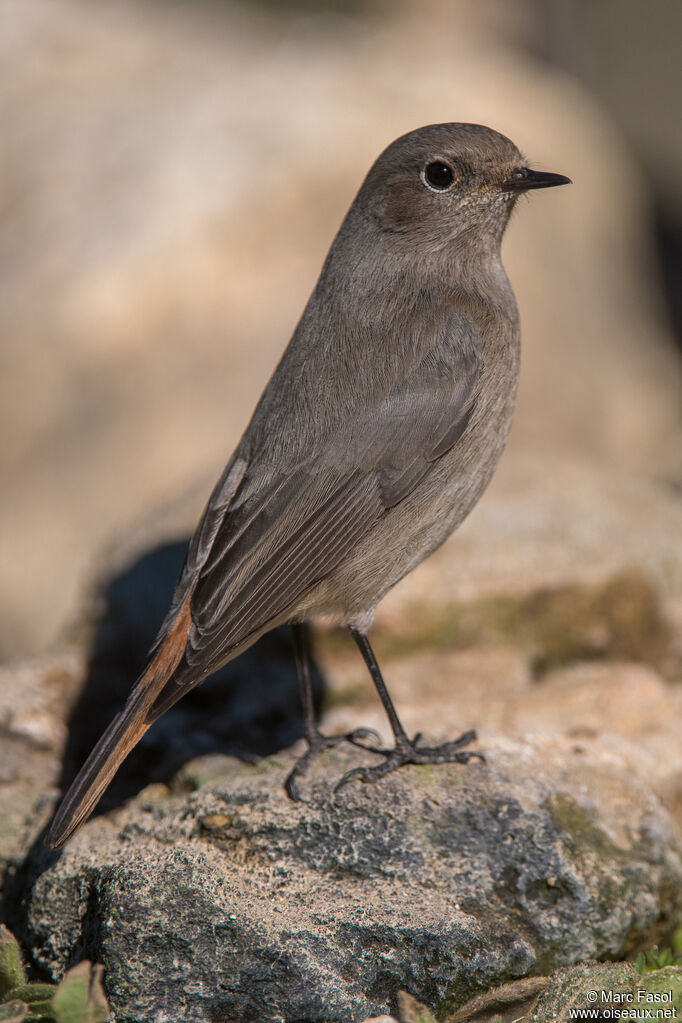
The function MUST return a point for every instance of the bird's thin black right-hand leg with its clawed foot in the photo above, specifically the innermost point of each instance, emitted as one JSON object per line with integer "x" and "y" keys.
{"x": 406, "y": 751}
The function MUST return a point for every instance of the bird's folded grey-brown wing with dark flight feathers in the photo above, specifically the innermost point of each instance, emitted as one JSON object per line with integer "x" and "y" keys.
{"x": 257, "y": 557}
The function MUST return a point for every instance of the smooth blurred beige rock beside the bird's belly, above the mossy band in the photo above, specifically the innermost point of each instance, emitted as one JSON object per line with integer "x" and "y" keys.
{"x": 545, "y": 521}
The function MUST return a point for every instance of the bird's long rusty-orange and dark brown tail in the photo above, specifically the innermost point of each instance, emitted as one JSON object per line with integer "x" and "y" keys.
{"x": 123, "y": 734}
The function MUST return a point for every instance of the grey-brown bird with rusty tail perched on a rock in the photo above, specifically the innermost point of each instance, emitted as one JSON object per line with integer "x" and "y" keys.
{"x": 376, "y": 436}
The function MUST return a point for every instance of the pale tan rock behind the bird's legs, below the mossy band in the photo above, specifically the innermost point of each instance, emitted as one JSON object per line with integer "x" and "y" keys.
{"x": 623, "y": 713}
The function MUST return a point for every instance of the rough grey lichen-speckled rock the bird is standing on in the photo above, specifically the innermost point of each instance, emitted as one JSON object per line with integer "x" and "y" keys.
{"x": 235, "y": 904}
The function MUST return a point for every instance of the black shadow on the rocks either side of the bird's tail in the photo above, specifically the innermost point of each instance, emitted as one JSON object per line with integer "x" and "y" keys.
{"x": 249, "y": 709}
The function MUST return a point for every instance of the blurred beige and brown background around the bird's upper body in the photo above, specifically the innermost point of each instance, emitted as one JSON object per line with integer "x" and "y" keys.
{"x": 172, "y": 175}
